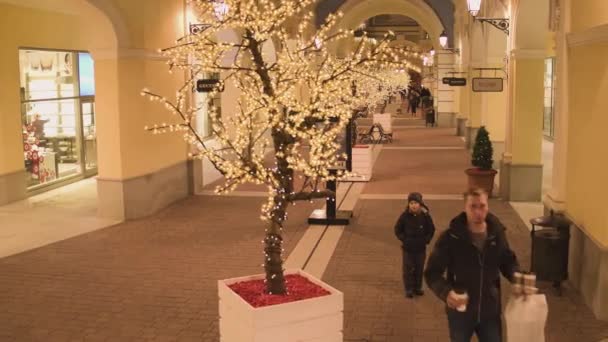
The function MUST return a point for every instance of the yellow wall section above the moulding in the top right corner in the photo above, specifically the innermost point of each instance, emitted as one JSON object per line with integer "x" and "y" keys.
{"x": 586, "y": 14}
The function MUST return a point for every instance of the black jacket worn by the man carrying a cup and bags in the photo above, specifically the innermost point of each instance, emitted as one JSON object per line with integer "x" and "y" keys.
{"x": 469, "y": 269}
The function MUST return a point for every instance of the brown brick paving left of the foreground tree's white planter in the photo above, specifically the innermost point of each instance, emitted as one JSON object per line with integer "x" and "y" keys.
{"x": 152, "y": 279}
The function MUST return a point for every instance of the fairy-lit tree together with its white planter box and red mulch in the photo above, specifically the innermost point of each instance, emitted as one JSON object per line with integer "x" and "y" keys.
{"x": 295, "y": 100}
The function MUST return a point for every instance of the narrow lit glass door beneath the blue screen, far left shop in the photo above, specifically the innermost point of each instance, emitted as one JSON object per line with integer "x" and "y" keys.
{"x": 89, "y": 135}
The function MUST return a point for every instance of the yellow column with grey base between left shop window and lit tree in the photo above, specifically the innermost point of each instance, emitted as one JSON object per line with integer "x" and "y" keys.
{"x": 139, "y": 172}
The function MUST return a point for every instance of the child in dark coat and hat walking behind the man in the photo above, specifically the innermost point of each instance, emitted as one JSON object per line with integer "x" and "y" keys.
{"x": 415, "y": 230}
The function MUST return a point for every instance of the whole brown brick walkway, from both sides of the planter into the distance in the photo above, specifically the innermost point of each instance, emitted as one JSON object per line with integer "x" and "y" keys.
{"x": 155, "y": 279}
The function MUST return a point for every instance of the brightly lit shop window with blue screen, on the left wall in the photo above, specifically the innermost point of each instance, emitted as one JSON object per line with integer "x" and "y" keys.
{"x": 57, "y": 90}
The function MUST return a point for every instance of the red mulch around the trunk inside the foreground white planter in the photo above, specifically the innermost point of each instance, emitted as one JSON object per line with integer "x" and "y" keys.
{"x": 298, "y": 288}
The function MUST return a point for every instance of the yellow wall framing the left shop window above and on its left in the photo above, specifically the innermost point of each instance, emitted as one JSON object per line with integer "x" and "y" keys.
{"x": 21, "y": 27}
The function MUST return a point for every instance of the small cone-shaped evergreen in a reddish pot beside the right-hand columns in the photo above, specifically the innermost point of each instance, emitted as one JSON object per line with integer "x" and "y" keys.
{"x": 482, "y": 174}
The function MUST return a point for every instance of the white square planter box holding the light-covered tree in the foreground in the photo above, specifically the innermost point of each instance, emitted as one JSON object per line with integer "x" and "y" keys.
{"x": 312, "y": 320}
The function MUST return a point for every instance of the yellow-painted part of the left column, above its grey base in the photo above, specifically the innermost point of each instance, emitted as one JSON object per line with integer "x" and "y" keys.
{"x": 126, "y": 150}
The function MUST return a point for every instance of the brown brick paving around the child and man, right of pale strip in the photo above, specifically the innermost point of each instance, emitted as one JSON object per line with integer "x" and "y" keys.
{"x": 366, "y": 266}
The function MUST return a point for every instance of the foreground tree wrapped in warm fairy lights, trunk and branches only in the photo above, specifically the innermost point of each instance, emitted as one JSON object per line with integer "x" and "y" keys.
{"x": 296, "y": 102}
